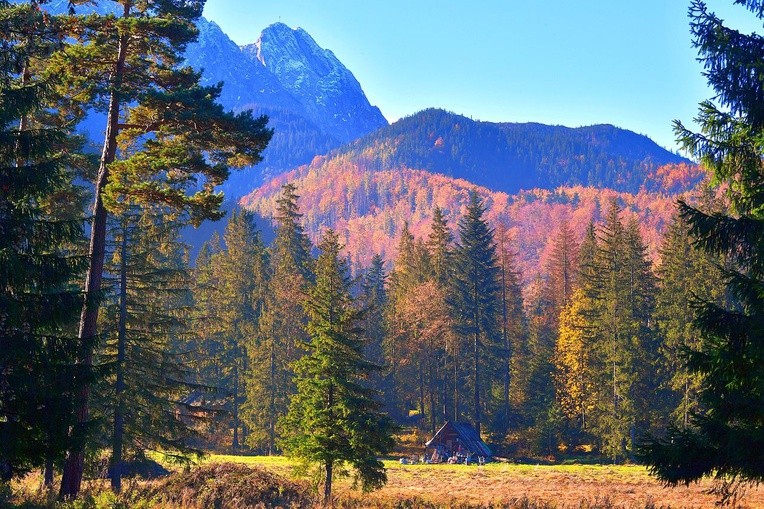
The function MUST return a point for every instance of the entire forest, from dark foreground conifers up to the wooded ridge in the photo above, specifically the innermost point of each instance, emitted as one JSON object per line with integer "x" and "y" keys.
{"x": 569, "y": 295}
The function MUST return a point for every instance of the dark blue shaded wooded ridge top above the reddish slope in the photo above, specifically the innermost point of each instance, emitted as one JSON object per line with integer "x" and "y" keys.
{"x": 509, "y": 157}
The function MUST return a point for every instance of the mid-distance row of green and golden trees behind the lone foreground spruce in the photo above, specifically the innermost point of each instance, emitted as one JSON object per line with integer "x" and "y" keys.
{"x": 588, "y": 358}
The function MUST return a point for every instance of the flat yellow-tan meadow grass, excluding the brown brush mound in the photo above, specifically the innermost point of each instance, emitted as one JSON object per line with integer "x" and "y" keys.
{"x": 505, "y": 484}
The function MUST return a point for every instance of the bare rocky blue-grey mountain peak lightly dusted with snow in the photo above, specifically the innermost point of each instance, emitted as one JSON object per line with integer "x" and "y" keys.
{"x": 328, "y": 91}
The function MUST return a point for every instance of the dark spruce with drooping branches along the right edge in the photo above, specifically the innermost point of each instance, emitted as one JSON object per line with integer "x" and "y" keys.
{"x": 726, "y": 437}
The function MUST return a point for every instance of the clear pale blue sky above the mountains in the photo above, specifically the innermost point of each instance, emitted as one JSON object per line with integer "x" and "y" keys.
{"x": 630, "y": 64}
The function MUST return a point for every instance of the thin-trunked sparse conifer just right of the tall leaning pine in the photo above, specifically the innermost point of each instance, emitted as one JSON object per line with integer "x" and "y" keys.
{"x": 148, "y": 314}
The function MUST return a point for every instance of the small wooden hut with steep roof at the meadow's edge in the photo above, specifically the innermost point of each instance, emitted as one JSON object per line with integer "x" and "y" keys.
{"x": 456, "y": 442}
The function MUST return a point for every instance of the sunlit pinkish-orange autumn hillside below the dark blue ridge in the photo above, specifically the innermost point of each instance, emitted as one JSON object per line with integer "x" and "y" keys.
{"x": 368, "y": 207}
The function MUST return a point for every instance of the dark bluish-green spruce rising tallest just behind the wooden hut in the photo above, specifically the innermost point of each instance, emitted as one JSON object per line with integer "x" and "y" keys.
{"x": 475, "y": 299}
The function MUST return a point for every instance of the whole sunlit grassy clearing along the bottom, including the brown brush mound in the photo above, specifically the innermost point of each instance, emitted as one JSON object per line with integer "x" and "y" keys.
{"x": 497, "y": 484}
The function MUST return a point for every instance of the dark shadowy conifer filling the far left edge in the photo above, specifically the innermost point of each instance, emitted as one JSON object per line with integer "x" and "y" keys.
{"x": 38, "y": 250}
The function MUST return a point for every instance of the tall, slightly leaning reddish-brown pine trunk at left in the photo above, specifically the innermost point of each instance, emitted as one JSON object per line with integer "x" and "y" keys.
{"x": 73, "y": 467}
